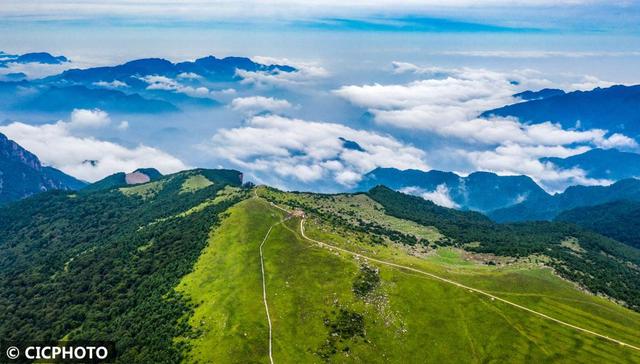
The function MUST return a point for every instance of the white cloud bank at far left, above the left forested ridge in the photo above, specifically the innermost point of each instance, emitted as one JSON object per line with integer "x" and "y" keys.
{"x": 56, "y": 145}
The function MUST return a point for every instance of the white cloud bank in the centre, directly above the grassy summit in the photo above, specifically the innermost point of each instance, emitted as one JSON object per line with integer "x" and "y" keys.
{"x": 309, "y": 151}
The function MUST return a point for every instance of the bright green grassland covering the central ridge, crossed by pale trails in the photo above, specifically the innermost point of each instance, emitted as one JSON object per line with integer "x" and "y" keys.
{"x": 405, "y": 317}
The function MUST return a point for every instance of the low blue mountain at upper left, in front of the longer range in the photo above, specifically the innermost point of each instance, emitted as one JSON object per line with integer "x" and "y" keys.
{"x": 68, "y": 98}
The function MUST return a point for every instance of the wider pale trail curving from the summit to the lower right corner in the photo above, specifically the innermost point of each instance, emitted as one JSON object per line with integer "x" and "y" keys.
{"x": 460, "y": 285}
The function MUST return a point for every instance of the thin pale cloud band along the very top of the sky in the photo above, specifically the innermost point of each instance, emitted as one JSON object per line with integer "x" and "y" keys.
{"x": 288, "y": 9}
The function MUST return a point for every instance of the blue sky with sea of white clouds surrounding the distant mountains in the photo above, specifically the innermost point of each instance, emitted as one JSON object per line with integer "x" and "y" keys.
{"x": 406, "y": 80}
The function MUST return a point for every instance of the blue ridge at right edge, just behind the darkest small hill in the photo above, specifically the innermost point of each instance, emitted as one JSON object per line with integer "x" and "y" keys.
{"x": 548, "y": 207}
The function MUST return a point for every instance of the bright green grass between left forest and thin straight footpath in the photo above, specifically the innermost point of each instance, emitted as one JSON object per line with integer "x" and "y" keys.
{"x": 226, "y": 288}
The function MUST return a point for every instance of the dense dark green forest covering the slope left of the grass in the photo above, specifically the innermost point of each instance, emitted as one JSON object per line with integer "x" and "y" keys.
{"x": 103, "y": 265}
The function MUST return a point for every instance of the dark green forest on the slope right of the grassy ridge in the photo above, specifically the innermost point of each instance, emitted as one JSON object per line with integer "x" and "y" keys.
{"x": 603, "y": 265}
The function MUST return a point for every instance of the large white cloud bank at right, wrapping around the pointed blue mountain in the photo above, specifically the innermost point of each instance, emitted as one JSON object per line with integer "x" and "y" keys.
{"x": 446, "y": 104}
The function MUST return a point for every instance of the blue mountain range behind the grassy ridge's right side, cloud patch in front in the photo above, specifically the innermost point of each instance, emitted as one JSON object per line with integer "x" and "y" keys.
{"x": 518, "y": 198}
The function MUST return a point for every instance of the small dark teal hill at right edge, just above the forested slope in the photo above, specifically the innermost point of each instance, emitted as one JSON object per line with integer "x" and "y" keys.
{"x": 618, "y": 220}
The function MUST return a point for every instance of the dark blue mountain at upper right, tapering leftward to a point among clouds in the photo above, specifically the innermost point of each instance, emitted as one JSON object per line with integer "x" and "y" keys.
{"x": 616, "y": 108}
